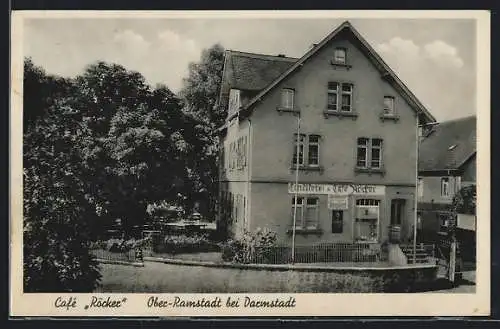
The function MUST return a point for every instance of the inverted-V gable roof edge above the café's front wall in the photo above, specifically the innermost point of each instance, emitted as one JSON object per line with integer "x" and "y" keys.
{"x": 384, "y": 69}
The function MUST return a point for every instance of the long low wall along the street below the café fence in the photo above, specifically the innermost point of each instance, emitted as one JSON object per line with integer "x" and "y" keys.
{"x": 253, "y": 278}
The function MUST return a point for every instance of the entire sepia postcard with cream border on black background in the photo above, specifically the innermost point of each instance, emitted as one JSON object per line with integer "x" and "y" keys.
{"x": 248, "y": 155}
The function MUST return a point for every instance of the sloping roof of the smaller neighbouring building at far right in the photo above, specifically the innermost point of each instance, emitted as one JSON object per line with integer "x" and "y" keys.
{"x": 448, "y": 145}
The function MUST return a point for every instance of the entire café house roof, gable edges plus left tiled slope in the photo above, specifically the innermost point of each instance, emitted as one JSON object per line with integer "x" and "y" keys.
{"x": 262, "y": 73}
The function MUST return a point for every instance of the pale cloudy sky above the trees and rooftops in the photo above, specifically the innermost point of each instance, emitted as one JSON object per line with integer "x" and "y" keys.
{"x": 436, "y": 58}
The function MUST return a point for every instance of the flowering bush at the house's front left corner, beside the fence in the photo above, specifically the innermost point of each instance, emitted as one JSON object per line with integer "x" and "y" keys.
{"x": 252, "y": 246}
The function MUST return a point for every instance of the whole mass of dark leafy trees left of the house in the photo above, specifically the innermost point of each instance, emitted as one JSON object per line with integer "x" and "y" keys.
{"x": 103, "y": 146}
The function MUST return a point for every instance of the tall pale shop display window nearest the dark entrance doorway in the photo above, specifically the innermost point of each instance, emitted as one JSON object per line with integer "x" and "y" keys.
{"x": 367, "y": 220}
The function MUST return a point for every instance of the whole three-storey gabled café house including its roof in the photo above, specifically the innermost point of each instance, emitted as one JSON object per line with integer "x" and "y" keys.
{"x": 322, "y": 148}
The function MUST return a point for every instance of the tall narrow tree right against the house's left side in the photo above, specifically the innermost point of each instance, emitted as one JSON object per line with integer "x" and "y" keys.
{"x": 200, "y": 94}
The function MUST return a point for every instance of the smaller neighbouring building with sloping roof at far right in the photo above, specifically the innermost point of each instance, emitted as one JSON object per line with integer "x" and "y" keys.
{"x": 447, "y": 163}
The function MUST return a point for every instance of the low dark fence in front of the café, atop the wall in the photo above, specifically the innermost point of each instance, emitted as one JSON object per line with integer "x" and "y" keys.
{"x": 320, "y": 253}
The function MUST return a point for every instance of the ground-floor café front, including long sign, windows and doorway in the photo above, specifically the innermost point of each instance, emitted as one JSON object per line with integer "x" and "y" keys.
{"x": 335, "y": 212}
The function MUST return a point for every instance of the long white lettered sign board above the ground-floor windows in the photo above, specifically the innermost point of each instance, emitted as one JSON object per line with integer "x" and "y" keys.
{"x": 337, "y": 189}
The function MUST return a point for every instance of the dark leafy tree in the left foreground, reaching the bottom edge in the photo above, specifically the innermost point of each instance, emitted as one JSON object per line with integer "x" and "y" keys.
{"x": 57, "y": 209}
